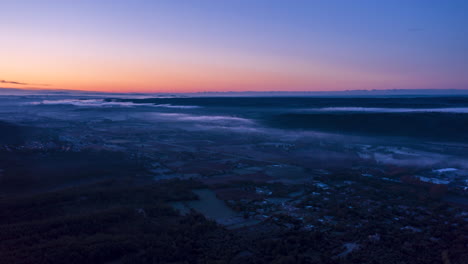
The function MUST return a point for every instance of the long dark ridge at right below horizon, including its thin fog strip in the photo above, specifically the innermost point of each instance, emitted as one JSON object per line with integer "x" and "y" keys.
{"x": 437, "y": 118}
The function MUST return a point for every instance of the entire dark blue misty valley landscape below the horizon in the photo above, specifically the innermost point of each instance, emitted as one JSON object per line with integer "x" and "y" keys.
{"x": 111, "y": 178}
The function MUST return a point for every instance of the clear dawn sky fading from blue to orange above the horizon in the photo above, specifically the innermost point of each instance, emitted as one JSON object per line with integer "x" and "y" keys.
{"x": 233, "y": 45}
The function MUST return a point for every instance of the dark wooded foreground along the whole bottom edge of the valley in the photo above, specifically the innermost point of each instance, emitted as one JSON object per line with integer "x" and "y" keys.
{"x": 120, "y": 221}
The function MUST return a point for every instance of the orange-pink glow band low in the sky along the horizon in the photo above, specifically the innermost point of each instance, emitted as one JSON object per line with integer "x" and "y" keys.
{"x": 175, "y": 77}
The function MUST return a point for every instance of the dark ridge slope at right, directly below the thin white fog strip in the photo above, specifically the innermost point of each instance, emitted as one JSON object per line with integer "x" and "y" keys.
{"x": 432, "y": 126}
